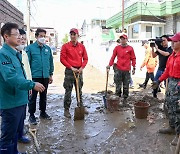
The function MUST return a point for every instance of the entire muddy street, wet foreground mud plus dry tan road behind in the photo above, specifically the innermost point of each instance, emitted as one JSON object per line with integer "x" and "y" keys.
{"x": 102, "y": 131}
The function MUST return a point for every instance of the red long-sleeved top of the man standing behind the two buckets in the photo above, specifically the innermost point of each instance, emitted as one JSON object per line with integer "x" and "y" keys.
{"x": 125, "y": 57}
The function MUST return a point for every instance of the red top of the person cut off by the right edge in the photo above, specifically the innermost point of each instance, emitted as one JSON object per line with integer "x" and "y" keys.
{"x": 172, "y": 67}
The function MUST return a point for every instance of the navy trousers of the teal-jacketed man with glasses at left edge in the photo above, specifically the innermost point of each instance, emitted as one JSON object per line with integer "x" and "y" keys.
{"x": 12, "y": 123}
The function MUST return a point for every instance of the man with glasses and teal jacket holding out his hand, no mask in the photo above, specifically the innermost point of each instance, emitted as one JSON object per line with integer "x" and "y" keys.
{"x": 13, "y": 89}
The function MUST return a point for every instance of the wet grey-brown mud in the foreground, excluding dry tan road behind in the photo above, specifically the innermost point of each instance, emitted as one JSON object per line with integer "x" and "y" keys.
{"x": 100, "y": 132}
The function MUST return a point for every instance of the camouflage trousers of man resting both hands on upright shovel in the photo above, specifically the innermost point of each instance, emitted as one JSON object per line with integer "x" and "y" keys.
{"x": 69, "y": 81}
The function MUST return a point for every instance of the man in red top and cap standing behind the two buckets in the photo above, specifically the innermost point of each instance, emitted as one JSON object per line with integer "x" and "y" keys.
{"x": 125, "y": 58}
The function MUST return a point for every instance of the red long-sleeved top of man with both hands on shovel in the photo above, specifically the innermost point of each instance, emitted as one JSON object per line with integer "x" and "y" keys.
{"x": 75, "y": 56}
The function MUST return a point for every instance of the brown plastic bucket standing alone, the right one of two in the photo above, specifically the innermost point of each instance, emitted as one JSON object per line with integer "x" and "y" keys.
{"x": 141, "y": 110}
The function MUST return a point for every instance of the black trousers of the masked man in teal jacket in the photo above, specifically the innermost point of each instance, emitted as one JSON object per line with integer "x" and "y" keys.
{"x": 43, "y": 97}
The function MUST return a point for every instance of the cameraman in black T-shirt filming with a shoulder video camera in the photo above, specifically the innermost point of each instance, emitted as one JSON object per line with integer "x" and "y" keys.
{"x": 163, "y": 55}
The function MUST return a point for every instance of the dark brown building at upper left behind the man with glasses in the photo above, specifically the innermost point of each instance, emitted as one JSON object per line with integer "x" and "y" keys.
{"x": 8, "y": 13}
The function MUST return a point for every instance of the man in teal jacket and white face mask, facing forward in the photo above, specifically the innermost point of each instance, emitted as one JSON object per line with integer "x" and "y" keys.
{"x": 41, "y": 64}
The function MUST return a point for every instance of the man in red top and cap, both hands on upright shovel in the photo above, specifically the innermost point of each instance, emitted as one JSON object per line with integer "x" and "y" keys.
{"x": 74, "y": 58}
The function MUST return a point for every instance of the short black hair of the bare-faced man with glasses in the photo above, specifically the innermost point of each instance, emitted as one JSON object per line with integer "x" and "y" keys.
{"x": 7, "y": 27}
